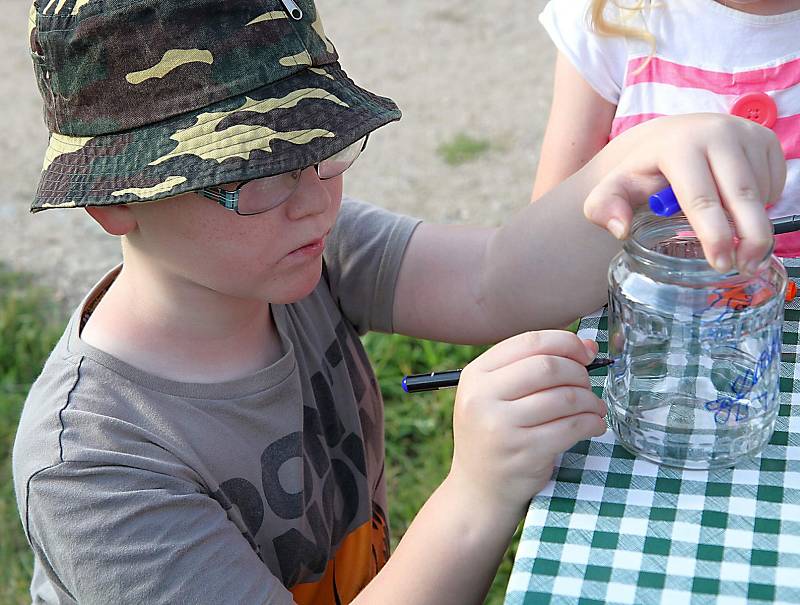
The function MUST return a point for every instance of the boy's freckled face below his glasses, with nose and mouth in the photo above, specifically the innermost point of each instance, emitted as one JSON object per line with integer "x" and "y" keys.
{"x": 274, "y": 256}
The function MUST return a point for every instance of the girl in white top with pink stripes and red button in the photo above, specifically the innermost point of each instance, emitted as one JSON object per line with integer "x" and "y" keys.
{"x": 621, "y": 63}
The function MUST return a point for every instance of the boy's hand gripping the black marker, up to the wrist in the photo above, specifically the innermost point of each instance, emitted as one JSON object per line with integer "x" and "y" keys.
{"x": 518, "y": 406}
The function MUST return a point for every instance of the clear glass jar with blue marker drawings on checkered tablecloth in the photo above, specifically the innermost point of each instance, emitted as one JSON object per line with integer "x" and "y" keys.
{"x": 695, "y": 380}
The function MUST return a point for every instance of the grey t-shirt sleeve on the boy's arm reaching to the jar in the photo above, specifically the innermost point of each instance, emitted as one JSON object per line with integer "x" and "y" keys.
{"x": 363, "y": 256}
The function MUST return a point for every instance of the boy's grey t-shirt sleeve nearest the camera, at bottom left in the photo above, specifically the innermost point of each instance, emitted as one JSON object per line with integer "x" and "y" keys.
{"x": 116, "y": 534}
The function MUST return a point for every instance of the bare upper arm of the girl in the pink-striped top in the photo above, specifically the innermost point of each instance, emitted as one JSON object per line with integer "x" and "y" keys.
{"x": 578, "y": 127}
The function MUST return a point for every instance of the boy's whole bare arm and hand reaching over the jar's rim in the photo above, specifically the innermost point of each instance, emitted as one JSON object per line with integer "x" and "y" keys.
{"x": 548, "y": 264}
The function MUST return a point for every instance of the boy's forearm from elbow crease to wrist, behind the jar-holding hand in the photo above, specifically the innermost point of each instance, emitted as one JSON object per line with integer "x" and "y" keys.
{"x": 545, "y": 267}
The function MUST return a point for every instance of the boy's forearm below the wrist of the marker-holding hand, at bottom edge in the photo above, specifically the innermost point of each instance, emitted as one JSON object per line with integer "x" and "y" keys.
{"x": 449, "y": 555}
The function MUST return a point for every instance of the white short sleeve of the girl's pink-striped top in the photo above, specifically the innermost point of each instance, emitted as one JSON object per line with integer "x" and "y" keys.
{"x": 601, "y": 60}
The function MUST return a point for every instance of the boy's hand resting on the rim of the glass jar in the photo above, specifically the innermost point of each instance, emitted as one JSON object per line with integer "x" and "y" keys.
{"x": 716, "y": 164}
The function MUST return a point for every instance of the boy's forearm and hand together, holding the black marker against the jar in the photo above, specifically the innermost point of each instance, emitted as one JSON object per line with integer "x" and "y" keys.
{"x": 518, "y": 406}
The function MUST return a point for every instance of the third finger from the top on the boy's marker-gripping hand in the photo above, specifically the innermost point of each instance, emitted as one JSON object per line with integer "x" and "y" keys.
{"x": 552, "y": 404}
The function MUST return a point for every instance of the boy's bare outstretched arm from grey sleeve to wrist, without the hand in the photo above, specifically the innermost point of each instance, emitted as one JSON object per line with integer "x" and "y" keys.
{"x": 469, "y": 285}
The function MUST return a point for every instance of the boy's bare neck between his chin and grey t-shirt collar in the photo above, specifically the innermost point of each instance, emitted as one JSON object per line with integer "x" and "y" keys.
{"x": 182, "y": 331}
